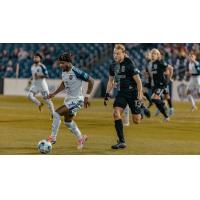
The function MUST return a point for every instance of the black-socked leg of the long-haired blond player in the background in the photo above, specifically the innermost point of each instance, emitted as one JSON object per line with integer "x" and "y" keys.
{"x": 156, "y": 99}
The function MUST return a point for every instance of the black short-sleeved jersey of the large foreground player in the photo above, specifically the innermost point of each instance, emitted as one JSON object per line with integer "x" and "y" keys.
{"x": 123, "y": 74}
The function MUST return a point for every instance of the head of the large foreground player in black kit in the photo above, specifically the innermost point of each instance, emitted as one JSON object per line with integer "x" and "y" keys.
{"x": 119, "y": 53}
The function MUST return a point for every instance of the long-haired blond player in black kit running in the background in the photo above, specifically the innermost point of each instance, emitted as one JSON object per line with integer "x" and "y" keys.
{"x": 162, "y": 74}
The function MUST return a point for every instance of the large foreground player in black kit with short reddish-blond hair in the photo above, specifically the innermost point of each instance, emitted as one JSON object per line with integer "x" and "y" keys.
{"x": 130, "y": 91}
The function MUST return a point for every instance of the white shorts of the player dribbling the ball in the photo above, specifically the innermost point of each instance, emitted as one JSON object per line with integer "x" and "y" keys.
{"x": 74, "y": 105}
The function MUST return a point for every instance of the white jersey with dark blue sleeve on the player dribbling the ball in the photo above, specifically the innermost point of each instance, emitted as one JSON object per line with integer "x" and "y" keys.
{"x": 73, "y": 81}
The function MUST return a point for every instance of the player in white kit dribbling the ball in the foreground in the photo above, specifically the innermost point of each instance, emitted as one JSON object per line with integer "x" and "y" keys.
{"x": 72, "y": 83}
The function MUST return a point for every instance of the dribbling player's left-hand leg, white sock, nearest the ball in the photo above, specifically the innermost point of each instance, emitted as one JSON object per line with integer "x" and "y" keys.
{"x": 61, "y": 111}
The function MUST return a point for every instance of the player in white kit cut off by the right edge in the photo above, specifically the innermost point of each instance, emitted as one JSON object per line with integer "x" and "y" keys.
{"x": 194, "y": 73}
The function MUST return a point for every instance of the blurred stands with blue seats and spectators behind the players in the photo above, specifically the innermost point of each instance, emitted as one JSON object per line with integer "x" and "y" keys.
{"x": 95, "y": 58}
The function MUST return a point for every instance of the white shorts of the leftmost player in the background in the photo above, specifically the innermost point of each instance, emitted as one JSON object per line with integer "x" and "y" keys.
{"x": 40, "y": 88}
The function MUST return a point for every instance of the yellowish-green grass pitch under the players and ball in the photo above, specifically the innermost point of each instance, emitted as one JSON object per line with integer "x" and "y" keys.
{"x": 22, "y": 126}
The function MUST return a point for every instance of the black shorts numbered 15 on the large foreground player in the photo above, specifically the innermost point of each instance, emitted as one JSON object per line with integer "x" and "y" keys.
{"x": 123, "y": 101}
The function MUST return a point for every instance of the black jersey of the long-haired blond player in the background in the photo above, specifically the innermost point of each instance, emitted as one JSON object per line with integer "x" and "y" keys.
{"x": 160, "y": 80}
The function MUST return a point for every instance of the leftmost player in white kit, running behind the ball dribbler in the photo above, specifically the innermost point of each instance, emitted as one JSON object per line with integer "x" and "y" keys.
{"x": 39, "y": 84}
